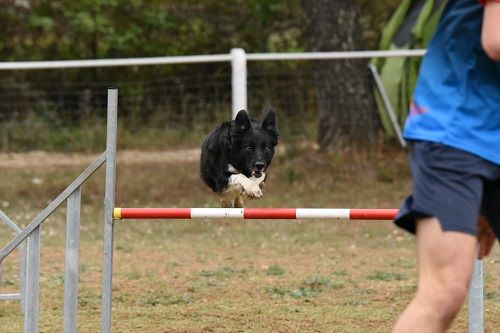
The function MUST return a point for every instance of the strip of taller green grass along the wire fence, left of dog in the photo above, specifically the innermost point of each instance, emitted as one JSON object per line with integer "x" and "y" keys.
{"x": 35, "y": 132}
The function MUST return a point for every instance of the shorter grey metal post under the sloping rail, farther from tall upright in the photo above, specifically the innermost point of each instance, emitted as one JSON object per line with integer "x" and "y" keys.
{"x": 32, "y": 282}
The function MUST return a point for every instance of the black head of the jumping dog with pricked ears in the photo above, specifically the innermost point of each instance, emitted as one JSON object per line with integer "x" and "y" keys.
{"x": 253, "y": 143}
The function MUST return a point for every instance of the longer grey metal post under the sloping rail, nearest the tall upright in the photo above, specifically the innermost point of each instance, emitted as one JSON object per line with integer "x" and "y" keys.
{"x": 71, "y": 274}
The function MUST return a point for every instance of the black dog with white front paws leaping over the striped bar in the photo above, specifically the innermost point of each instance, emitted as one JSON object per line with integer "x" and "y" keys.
{"x": 236, "y": 155}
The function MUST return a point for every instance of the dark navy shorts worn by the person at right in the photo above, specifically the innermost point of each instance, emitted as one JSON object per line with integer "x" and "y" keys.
{"x": 452, "y": 185}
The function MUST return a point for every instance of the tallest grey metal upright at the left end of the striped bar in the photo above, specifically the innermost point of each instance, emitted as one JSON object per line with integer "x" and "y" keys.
{"x": 109, "y": 204}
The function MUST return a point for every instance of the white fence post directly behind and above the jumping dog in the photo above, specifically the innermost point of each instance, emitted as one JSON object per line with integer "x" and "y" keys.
{"x": 239, "y": 80}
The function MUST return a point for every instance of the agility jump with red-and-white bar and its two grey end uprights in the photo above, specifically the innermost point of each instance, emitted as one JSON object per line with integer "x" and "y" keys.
{"x": 114, "y": 214}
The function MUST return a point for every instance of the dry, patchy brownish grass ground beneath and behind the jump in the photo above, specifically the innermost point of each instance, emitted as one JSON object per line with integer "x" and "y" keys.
{"x": 232, "y": 276}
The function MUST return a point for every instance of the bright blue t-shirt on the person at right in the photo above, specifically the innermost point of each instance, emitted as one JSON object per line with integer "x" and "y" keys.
{"x": 457, "y": 96}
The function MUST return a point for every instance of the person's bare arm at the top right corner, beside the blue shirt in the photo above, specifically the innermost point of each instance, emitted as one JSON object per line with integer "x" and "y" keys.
{"x": 490, "y": 35}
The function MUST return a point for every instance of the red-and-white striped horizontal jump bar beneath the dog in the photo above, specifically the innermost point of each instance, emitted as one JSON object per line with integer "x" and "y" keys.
{"x": 254, "y": 213}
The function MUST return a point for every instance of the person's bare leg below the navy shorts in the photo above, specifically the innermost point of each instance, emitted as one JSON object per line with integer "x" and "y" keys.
{"x": 445, "y": 262}
